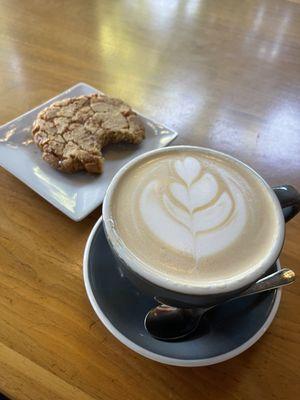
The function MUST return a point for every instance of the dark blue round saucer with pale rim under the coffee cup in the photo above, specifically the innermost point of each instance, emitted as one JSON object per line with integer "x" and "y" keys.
{"x": 228, "y": 330}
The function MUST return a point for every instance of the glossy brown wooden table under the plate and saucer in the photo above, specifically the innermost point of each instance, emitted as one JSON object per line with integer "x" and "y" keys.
{"x": 224, "y": 74}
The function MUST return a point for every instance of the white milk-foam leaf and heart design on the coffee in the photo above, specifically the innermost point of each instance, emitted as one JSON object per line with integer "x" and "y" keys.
{"x": 198, "y": 211}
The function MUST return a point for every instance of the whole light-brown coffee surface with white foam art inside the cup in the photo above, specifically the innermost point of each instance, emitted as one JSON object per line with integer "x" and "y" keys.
{"x": 193, "y": 216}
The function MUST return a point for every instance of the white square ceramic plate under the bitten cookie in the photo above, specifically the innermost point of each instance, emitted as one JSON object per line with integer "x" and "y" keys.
{"x": 79, "y": 194}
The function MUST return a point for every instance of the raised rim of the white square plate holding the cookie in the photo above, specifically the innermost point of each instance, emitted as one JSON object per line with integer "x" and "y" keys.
{"x": 79, "y": 215}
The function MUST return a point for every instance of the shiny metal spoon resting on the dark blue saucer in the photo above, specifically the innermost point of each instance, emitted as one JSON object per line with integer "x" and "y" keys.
{"x": 170, "y": 323}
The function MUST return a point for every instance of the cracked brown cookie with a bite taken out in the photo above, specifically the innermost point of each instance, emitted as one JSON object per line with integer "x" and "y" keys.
{"x": 72, "y": 133}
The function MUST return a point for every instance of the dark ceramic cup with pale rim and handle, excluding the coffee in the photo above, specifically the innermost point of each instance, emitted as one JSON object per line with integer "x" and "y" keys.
{"x": 287, "y": 204}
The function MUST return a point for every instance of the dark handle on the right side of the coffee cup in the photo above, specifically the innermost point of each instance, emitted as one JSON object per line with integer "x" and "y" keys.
{"x": 289, "y": 199}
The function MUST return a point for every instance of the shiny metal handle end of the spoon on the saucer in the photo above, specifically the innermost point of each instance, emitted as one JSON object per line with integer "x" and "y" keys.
{"x": 280, "y": 278}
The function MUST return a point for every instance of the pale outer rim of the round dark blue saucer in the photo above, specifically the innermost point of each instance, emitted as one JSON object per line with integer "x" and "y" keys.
{"x": 155, "y": 356}
